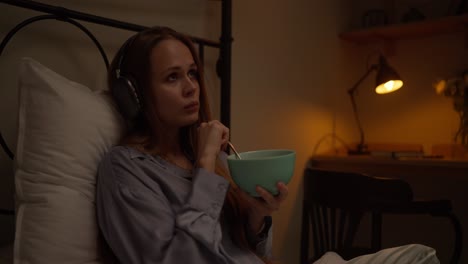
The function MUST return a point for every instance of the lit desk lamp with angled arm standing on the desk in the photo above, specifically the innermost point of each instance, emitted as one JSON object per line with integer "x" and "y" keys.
{"x": 387, "y": 81}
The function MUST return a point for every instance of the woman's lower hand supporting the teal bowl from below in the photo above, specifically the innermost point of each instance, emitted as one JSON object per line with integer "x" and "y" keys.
{"x": 265, "y": 205}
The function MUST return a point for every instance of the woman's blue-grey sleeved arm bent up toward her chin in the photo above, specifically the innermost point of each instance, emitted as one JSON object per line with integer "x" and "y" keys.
{"x": 141, "y": 226}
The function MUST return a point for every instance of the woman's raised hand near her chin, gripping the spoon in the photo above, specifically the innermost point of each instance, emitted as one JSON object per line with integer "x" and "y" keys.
{"x": 212, "y": 137}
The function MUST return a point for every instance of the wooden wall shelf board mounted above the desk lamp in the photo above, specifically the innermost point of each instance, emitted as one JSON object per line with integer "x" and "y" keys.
{"x": 391, "y": 33}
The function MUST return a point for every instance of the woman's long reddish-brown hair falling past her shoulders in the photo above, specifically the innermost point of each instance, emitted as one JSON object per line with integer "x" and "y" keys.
{"x": 143, "y": 133}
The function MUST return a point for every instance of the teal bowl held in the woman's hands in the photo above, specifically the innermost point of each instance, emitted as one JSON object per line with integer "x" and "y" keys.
{"x": 263, "y": 167}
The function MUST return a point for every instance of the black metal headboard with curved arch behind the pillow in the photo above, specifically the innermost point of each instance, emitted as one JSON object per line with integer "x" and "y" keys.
{"x": 223, "y": 66}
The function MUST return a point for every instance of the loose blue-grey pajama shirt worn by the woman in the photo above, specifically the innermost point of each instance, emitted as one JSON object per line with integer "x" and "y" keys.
{"x": 151, "y": 211}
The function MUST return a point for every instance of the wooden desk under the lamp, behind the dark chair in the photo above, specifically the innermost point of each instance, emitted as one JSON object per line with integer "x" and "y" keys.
{"x": 430, "y": 179}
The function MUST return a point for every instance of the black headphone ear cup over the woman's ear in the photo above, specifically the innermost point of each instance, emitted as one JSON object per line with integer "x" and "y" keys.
{"x": 125, "y": 94}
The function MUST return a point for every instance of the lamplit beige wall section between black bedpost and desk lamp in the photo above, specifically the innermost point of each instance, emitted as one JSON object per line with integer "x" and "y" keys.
{"x": 290, "y": 75}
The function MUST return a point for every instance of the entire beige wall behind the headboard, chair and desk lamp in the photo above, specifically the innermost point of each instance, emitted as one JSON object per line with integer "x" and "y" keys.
{"x": 290, "y": 74}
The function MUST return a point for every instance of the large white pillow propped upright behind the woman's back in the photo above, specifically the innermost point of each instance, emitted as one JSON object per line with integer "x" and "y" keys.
{"x": 64, "y": 130}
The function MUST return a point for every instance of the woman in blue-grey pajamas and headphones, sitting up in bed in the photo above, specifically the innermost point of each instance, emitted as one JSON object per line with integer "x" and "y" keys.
{"x": 164, "y": 195}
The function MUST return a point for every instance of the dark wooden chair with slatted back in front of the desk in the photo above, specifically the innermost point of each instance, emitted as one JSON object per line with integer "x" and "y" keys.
{"x": 335, "y": 202}
